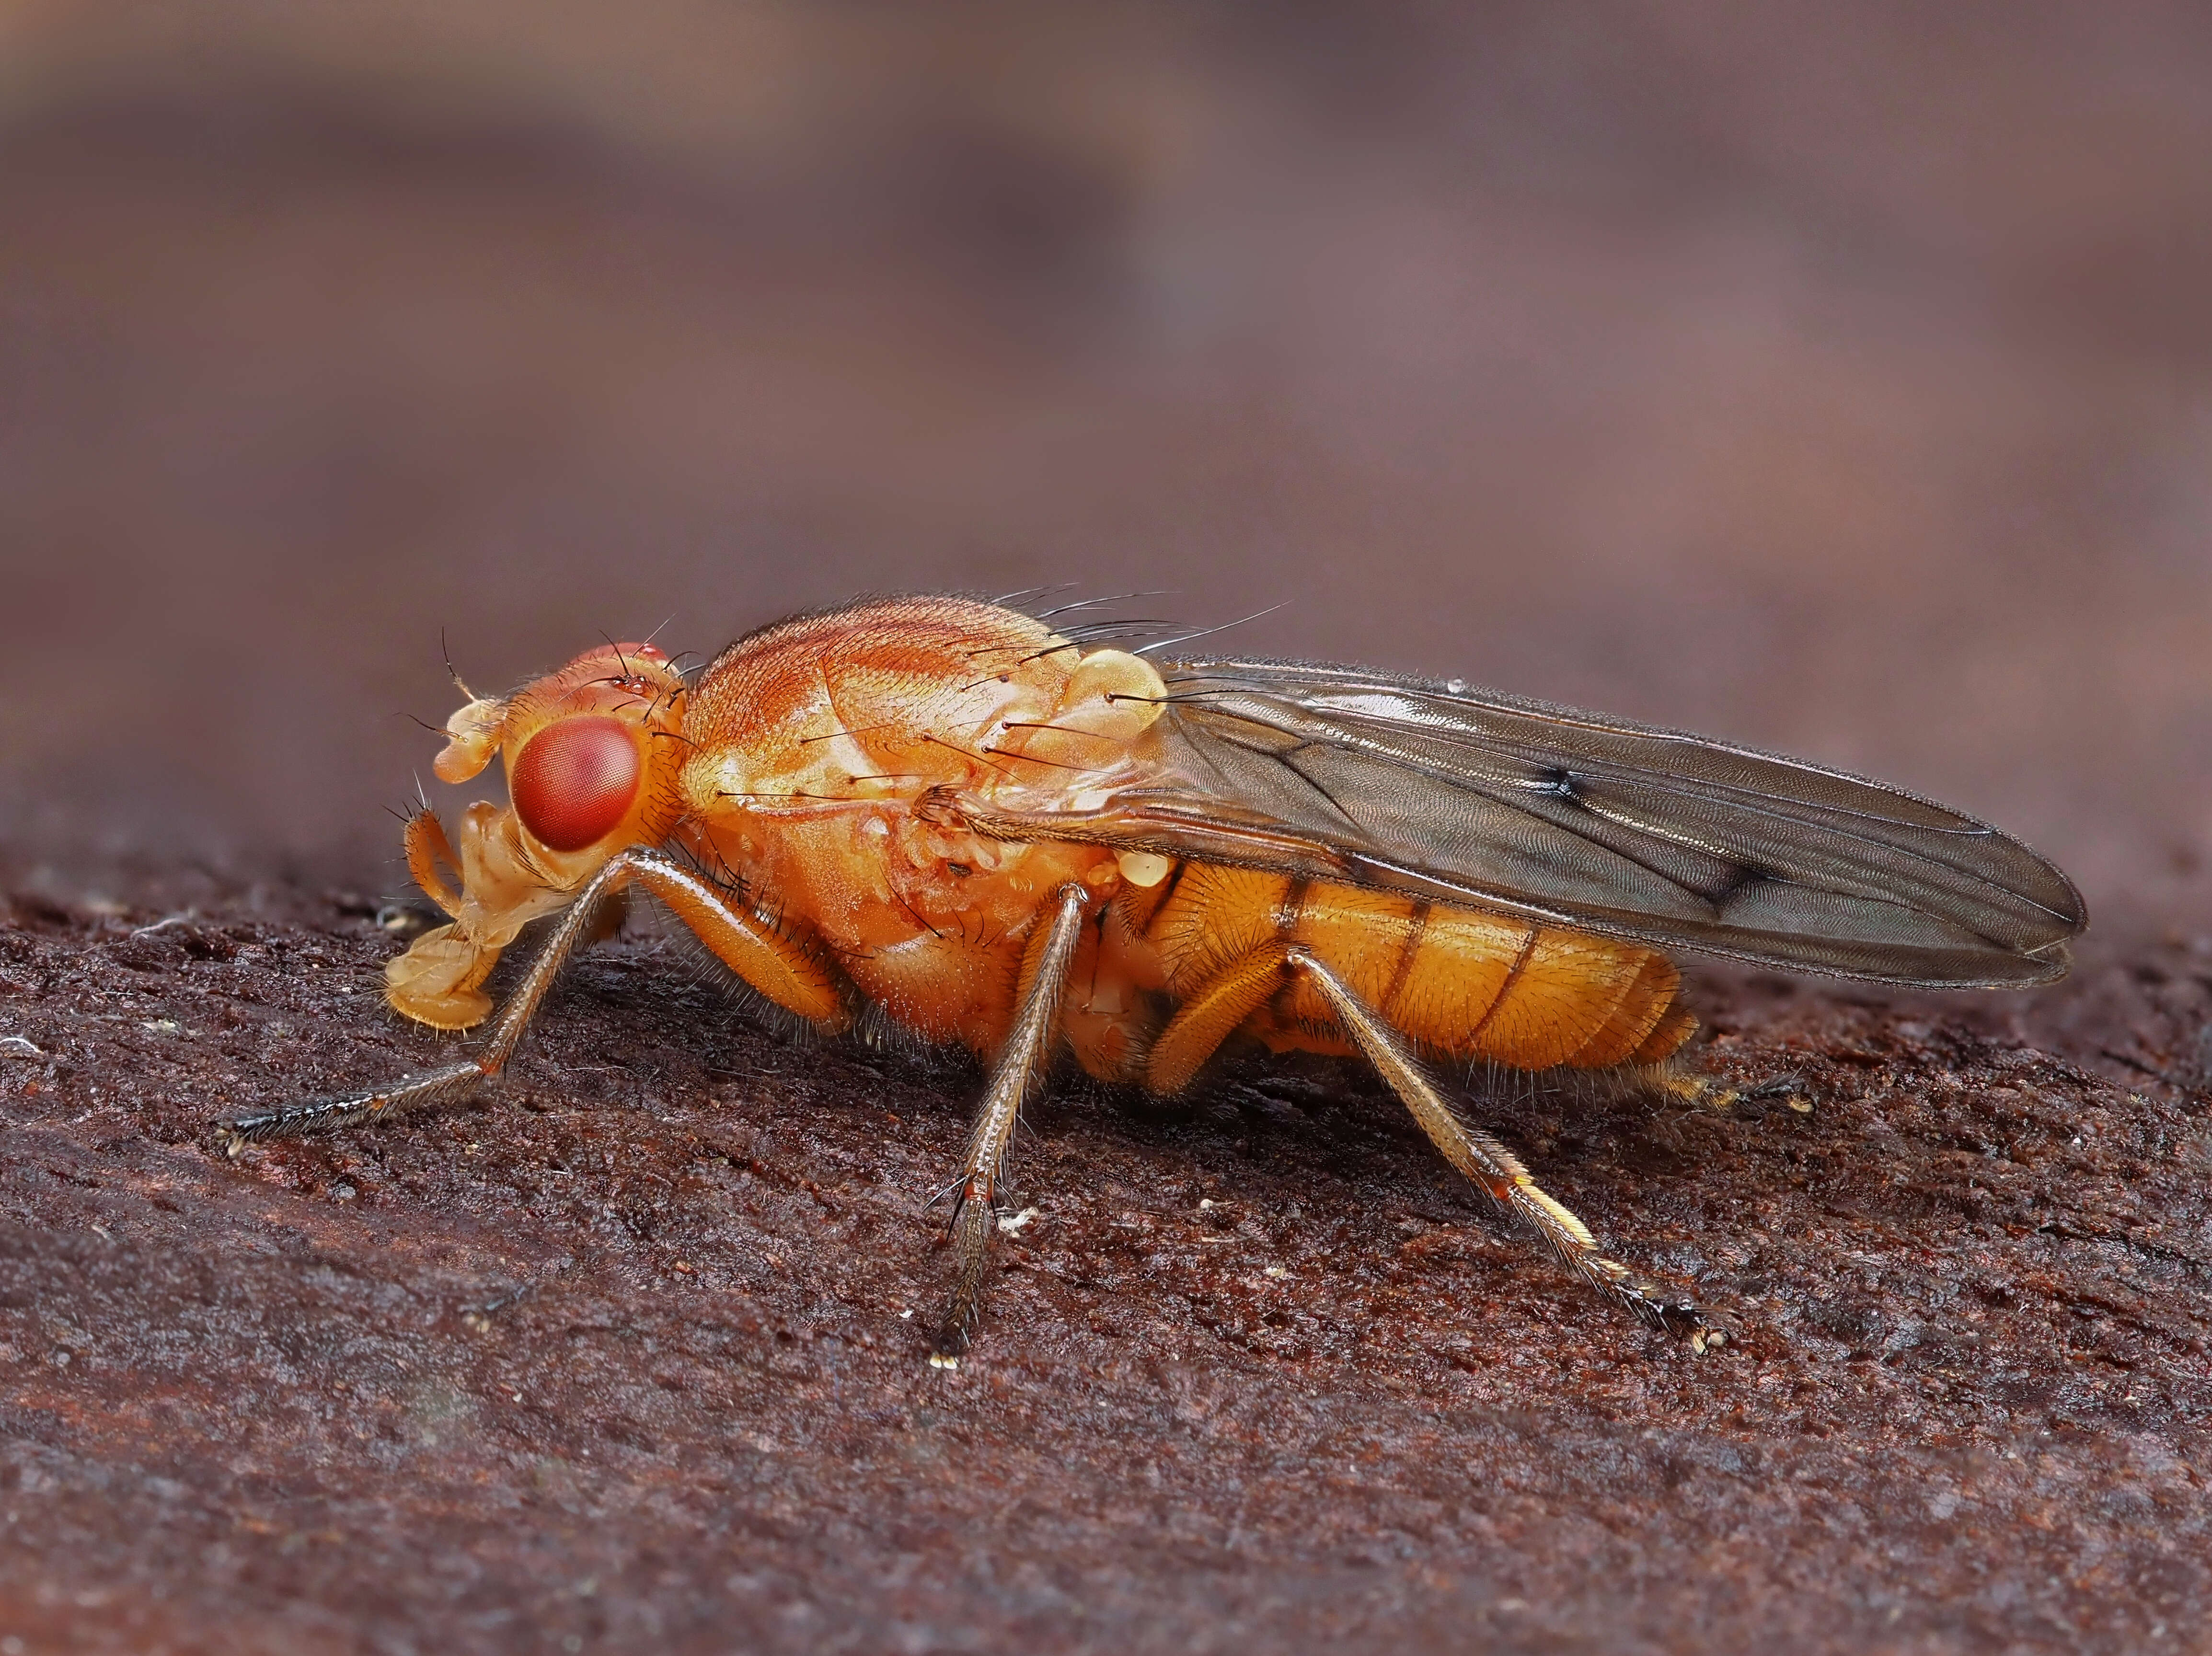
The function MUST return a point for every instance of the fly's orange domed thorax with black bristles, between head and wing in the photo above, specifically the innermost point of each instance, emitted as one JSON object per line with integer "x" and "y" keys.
{"x": 835, "y": 762}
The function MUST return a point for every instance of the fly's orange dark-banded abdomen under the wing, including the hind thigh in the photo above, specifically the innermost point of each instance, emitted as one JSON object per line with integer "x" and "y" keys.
{"x": 1457, "y": 981}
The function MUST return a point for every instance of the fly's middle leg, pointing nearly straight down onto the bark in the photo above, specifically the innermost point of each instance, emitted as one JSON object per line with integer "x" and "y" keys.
{"x": 1021, "y": 1062}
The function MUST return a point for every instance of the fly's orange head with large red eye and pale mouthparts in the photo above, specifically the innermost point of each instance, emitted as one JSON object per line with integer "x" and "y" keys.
{"x": 592, "y": 768}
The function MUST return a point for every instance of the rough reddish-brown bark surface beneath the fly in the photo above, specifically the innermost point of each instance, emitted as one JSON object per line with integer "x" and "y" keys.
{"x": 625, "y": 1356}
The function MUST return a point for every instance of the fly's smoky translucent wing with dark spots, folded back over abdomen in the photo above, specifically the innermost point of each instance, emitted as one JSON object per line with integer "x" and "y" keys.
{"x": 1592, "y": 821}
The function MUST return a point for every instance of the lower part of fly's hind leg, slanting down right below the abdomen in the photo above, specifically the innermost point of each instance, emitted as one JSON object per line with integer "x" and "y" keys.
{"x": 1494, "y": 1168}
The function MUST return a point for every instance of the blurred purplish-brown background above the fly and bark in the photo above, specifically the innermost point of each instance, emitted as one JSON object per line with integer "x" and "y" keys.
{"x": 1837, "y": 381}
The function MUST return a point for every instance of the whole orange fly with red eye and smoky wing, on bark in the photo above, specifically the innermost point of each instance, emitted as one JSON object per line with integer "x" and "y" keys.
{"x": 1008, "y": 839}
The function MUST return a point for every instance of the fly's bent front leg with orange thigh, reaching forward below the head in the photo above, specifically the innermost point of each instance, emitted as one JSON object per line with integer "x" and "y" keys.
{"x": 747, "y": 943}
